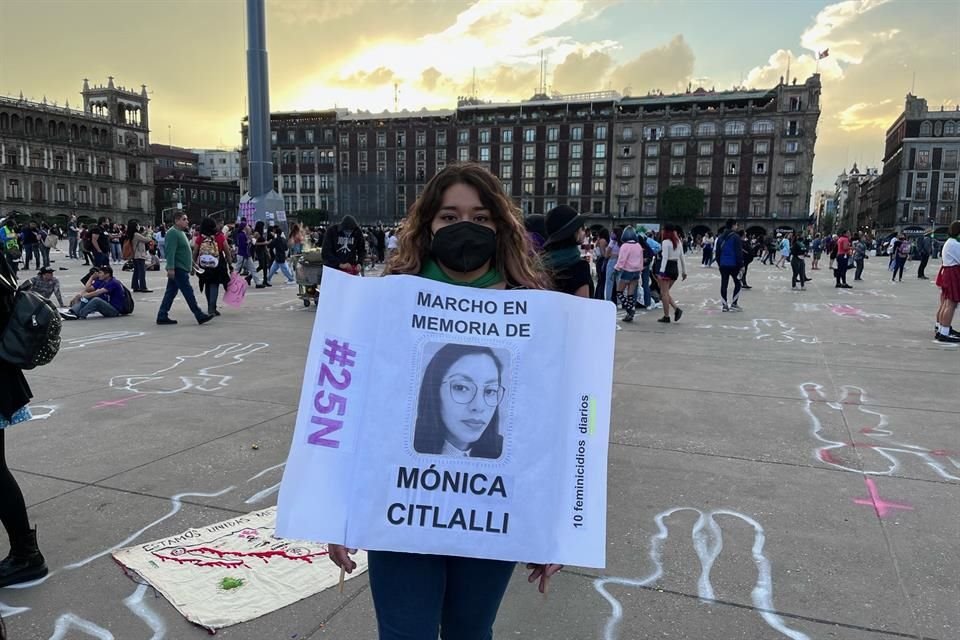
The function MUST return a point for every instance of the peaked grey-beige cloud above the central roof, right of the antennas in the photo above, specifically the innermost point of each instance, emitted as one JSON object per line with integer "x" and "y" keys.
{"x": 667, "y": 68}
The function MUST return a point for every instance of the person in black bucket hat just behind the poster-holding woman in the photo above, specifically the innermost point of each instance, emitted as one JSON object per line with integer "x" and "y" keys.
{"x": 571, "y": 273}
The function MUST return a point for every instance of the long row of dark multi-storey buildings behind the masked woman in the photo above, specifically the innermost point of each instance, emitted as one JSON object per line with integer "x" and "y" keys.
{"x": 610, "y": 157}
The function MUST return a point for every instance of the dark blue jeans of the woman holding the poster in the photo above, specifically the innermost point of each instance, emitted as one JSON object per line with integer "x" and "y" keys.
{"x": 416, "y": 595}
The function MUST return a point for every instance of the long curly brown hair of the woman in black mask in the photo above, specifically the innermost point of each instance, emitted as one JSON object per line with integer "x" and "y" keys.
{"x": 519, "y": 265}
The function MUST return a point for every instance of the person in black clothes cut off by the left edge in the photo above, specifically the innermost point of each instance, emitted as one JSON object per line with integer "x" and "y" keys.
{"x": 24, "y": 562}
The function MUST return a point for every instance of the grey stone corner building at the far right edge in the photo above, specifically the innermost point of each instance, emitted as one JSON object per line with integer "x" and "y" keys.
{"x": 921, "y": 161}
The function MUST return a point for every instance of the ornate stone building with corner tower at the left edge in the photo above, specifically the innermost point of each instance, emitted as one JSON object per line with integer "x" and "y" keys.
{"x": 55, "y": 160}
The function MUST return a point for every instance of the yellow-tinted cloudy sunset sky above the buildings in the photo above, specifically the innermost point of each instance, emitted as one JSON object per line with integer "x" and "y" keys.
{"x": 191, "y": 55}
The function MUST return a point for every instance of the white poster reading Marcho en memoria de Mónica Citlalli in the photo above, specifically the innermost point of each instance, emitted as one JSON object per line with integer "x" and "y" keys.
{"x": 453, "y": 420}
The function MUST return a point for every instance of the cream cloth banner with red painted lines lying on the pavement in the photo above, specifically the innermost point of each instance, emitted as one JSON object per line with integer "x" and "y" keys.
{"x": 233, "y": 571}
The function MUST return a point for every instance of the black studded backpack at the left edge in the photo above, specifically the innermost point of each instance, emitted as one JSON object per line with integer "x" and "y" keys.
{"x": 32, "y": 335}
